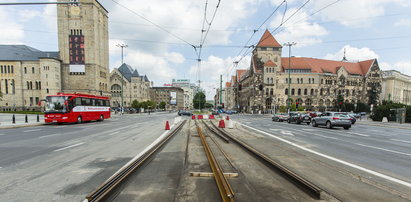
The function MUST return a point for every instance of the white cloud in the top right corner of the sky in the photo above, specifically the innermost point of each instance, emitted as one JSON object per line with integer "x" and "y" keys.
{"x": 355, "y": 13}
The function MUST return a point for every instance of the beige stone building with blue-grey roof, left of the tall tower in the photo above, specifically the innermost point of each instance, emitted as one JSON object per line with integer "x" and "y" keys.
{"x": 27, "y": 75}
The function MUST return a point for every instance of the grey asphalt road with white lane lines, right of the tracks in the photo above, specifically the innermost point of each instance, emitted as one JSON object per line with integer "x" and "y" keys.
{"x": 380, "y": 151}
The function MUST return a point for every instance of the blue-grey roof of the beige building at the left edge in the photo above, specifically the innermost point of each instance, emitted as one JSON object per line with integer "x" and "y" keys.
{"x": 24, "y": 53}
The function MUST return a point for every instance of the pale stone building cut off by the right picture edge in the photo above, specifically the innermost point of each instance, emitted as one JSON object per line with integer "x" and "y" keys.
{"x": 396, "y": 87}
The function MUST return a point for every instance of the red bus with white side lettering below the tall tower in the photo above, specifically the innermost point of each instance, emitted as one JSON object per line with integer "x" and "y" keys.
{"x": 71, "y": 108}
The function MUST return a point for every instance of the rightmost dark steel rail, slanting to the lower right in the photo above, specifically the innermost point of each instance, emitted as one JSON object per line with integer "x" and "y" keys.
{"x": 306, "y": 185}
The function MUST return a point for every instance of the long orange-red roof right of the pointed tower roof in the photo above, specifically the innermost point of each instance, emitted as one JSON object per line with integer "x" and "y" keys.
{"x": 327, "y": 66}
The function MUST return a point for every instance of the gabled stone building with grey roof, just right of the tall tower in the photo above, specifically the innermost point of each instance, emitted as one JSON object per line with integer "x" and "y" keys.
{"x": 135, "y": 87}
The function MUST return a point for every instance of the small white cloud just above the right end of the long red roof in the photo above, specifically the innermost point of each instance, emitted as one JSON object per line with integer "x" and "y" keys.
{"x": 353, "y": 54}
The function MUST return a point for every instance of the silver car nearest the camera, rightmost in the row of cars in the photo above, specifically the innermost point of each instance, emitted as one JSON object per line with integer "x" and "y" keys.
{"x": 332, "y": 119}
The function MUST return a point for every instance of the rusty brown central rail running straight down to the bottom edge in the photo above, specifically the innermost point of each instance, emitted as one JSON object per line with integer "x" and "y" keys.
{"x": 224, "y": 187}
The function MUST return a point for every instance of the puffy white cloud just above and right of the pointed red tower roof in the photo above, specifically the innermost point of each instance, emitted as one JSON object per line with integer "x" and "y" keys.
{"x": 301, "y": 31}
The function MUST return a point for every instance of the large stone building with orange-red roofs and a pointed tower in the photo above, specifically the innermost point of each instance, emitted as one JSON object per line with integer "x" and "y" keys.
{"x": 315, "y": 84}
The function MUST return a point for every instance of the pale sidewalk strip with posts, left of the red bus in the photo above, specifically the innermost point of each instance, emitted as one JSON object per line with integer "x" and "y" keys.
{"x": 6, "y": 120}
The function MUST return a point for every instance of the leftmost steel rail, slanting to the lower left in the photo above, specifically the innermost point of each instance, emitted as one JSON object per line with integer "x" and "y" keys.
{"x": 104, "y": 189}
